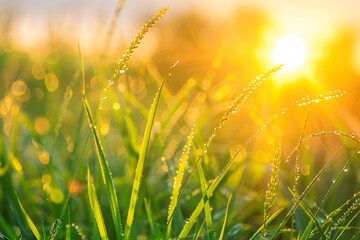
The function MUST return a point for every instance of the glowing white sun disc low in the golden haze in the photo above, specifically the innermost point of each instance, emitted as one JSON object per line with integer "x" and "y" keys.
{"x": 290, "y": 51}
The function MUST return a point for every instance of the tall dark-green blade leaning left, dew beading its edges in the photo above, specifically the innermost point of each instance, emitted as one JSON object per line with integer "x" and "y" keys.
{"x": 105, "y": 172}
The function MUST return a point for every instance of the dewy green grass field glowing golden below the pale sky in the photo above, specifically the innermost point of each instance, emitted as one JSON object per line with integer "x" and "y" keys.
{"x": 183, "y": 145}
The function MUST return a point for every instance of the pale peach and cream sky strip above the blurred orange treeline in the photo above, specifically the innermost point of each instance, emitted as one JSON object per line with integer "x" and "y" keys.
{"x": 84, "y": 19}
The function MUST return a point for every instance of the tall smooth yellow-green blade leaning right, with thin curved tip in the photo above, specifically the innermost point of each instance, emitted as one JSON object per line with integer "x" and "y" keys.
{"x": 141, "y": 160}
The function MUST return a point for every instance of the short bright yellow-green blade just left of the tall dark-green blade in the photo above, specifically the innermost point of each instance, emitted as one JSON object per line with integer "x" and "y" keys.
{"x": 95, "y": 207}
